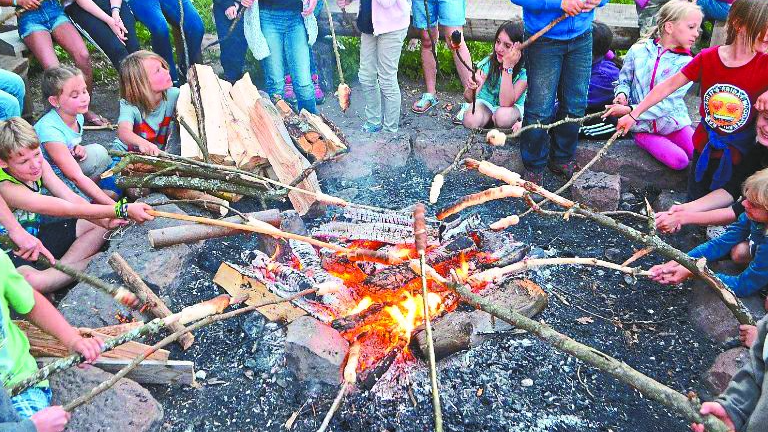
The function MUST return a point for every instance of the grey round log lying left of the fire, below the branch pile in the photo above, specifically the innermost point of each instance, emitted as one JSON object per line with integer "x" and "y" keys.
{"x": 195, "y": 232}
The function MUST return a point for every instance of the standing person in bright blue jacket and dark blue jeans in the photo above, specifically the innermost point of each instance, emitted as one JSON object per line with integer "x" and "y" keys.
{"x": 558, "y": 64}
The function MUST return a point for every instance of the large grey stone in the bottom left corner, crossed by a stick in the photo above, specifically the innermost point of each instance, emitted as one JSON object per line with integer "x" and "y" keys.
{"x": 126, "y": 406}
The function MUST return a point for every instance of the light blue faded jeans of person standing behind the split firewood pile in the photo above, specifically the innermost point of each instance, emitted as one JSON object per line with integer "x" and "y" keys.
{"x": 287, "y": 37}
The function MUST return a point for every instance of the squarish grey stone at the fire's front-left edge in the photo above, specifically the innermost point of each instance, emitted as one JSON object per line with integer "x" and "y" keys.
{"x": 314, "y": 351}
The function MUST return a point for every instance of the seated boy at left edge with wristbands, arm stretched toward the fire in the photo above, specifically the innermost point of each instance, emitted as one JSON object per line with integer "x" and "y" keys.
{"x": 23, "y": 174}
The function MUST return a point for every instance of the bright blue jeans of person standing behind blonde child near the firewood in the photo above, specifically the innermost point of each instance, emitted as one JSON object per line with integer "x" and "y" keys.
{"x": 153, "y": 14}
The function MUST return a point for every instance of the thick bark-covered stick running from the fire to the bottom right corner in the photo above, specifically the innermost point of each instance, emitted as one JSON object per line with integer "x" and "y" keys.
{"x": 649, "y": 387}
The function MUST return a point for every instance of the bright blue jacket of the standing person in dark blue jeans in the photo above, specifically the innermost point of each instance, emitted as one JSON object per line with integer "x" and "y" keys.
{"x": 538, "y": 13}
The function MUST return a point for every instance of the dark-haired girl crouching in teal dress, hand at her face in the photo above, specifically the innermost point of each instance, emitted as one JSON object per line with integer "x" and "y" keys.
{"x": 501, "y": 83}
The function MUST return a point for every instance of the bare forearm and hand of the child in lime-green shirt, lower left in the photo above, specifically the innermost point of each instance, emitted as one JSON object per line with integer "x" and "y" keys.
{"x": 50, "y": 320}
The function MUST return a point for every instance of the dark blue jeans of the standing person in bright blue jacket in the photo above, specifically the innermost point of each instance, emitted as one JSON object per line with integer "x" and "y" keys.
{"x": 559, "y": 68}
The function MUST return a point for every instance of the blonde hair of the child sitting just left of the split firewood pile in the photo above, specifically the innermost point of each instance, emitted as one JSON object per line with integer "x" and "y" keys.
{"x": 134, "y": 82}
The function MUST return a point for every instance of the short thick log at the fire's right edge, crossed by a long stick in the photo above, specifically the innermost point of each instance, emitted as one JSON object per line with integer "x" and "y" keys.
{"x": 459, "y": 331}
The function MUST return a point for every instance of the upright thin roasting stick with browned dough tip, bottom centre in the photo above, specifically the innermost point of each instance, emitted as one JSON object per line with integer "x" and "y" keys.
{"x": 420, "y": 234}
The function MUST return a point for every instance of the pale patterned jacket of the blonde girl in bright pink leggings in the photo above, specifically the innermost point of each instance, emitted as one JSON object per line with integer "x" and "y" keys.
{"x": 646, "y": 65}
